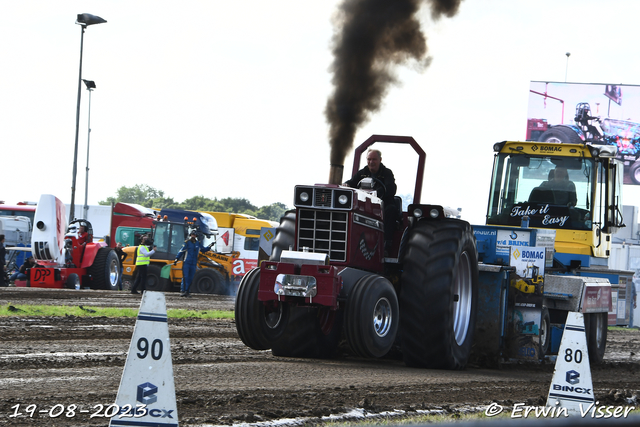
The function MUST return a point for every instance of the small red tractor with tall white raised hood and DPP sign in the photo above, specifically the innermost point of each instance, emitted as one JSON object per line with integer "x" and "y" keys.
{"x": 70, "y": 257}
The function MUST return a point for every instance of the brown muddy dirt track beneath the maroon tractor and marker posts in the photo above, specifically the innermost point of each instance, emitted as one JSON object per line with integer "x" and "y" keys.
{"x": 48, "y": 361}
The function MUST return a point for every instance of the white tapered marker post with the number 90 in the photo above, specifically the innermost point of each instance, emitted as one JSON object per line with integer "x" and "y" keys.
{"x": 146, "y": 396}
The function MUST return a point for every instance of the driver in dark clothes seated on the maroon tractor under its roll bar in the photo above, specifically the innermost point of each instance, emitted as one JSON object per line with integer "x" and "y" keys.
{"x": 383, "y": 177}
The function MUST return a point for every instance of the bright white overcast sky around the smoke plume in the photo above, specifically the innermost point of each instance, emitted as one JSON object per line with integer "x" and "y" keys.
{"x": 226, "y": 98}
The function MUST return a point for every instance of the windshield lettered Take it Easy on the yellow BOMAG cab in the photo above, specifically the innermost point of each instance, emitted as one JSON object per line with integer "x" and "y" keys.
{"x": 551, "y": 191}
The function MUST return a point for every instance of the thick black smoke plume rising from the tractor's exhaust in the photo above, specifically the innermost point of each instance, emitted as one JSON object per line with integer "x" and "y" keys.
{"x": 370, "y": 37}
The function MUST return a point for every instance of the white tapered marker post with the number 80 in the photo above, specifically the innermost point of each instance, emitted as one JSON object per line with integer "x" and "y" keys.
{"x": 571, "y": 387}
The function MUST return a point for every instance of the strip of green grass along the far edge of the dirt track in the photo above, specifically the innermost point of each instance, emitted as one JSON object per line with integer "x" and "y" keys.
{"x": 53, "y": 310}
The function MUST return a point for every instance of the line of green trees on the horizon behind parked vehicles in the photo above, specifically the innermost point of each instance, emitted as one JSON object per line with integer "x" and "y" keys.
{"x": 150, "y": 197}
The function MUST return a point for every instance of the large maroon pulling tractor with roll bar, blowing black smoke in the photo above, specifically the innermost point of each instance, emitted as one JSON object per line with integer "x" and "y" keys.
{"x": 328, "y": 278}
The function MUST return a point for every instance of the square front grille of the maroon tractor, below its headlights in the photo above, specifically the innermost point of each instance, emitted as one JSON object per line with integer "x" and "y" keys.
{"x": 324, "y": 232}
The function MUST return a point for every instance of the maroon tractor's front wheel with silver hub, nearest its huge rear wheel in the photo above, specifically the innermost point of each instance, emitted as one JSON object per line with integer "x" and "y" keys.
{"x": 372, "y": 316}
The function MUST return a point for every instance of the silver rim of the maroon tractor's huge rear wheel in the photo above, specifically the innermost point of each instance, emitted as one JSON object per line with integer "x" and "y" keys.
{"x": 462, "y": 299}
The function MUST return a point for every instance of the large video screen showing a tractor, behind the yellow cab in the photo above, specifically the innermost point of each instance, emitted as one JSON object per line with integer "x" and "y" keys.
{"x": 578, "y": 112}
